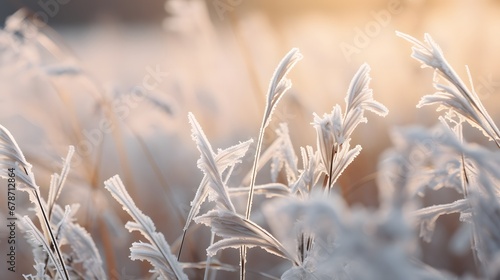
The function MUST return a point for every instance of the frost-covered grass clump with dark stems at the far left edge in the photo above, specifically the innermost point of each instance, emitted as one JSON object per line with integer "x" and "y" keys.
{"x": 58, "y": 228}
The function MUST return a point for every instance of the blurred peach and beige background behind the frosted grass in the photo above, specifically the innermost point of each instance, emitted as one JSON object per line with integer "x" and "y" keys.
{"x": 116, "y": 79}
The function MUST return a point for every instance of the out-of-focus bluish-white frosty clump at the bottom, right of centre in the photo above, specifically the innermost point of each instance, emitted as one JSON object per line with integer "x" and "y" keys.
{"x": 349, "y": 243}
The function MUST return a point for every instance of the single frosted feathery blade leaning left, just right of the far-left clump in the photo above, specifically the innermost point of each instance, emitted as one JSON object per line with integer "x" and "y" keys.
{"x": 158, "y": 252}
